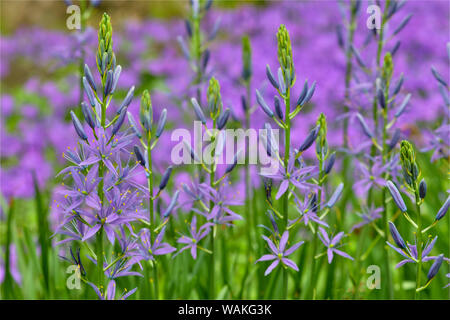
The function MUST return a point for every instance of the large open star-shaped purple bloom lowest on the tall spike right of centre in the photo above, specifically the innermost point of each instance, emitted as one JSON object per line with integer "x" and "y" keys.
{"x": 279, "y": 253}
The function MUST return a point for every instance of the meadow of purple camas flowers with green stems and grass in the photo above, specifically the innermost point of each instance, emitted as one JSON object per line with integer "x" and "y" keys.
{"x": 86, "y": 174}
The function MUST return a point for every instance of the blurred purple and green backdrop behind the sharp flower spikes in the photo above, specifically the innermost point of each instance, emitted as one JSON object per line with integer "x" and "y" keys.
{"x": 40, "y": 64}
